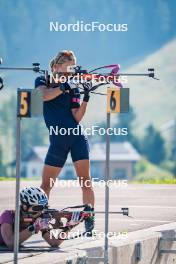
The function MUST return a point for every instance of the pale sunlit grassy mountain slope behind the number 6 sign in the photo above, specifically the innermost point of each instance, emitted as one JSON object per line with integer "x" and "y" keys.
{"x": 152, "y": 100}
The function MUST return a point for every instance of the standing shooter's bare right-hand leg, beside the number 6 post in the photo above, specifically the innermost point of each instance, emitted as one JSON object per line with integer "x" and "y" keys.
{"x": 82, "y": 168}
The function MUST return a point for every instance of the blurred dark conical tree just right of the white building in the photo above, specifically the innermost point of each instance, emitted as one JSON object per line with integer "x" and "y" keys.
{"x": 153, "y": 145}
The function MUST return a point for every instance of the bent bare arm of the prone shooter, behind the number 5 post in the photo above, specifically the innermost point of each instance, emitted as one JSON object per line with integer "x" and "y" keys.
{"x": 8, "y": 235}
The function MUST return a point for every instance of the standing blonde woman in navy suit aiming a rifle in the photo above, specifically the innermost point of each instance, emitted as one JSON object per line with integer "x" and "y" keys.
{"x": 62, "y": 110}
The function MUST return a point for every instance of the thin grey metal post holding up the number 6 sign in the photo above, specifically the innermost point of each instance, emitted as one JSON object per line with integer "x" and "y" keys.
{"x": 106, "y": 255}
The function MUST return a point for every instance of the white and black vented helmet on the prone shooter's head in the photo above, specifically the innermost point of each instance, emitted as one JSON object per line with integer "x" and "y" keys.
{"x": 33, "y": 196}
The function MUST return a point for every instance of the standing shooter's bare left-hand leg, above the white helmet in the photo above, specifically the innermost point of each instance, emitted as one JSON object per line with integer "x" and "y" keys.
{"x": 50, "y": 173}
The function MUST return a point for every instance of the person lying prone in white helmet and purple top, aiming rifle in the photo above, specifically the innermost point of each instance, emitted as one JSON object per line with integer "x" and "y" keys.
{"x": 29, "y": 197}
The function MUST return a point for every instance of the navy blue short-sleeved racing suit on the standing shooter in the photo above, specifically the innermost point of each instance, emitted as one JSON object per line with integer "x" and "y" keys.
{"x": 58, "y": 117}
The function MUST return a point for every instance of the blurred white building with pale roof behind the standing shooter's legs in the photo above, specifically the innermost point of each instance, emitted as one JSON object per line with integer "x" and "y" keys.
{"x": 123, "y": 156}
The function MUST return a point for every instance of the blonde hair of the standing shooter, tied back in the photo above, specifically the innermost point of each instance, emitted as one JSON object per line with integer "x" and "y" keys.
{"x": 62, "y": 56}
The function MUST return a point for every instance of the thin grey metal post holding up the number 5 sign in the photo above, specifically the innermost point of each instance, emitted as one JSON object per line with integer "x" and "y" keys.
{"x": 17, "y": 206}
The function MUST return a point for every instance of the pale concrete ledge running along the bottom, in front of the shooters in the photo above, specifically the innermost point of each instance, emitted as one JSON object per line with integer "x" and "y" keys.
{"x": 139, "y": 247}
